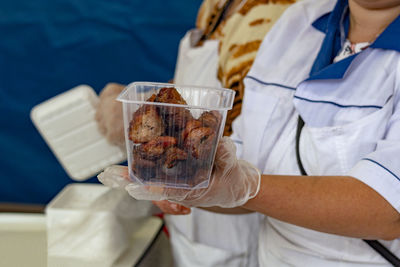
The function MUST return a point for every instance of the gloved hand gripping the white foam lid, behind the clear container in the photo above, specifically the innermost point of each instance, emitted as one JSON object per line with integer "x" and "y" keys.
{"x": 109, "y": 114}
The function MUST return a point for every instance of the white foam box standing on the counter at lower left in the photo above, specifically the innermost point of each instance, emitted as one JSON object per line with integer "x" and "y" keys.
{"x": 91, "y": 225}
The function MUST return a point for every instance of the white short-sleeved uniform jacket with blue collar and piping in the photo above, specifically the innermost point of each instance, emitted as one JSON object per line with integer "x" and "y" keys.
{"x": 351, "y": 111}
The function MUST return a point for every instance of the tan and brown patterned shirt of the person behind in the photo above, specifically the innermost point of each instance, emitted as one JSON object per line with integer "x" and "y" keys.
{"x": 240, "y": 35}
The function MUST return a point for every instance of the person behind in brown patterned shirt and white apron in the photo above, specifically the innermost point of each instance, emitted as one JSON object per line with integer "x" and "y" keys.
{"x": 218, "y": 53}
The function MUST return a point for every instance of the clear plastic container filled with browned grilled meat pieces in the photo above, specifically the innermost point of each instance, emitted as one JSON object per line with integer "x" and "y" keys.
{"x": 172, "y": 132}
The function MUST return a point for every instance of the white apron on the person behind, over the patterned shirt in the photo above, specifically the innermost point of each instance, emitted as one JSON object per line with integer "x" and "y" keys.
{"x": 204, "y": 238}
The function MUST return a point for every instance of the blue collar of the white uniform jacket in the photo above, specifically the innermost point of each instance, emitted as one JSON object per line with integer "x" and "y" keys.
{"x": 330, "y": 24}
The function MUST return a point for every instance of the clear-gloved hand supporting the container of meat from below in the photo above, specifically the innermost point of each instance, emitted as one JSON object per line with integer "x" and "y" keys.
{"x": 233, "y": 182}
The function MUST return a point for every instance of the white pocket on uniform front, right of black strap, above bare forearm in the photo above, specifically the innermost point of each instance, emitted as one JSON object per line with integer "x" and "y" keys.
{"x": 336, "y": 149}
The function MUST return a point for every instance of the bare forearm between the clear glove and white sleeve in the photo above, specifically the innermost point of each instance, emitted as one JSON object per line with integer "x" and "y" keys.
{"x": 332, "y": 204}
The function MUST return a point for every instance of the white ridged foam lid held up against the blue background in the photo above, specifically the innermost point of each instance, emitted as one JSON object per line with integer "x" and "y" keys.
{"x": 67, "y": 124}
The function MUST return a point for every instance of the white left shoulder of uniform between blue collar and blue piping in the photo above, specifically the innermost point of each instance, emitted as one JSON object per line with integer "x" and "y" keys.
{"x": 292, "y": 41}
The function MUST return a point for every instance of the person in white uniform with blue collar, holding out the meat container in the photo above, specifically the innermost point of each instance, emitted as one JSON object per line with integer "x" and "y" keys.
{"x": 318, "y": 139}
